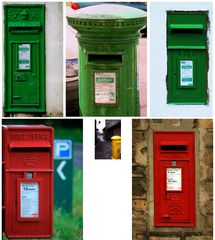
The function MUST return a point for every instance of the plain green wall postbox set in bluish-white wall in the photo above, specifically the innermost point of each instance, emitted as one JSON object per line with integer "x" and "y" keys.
{"x": 187, "y": 57}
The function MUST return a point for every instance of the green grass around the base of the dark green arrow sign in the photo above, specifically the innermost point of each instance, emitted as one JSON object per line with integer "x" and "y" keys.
{"x": 69, "y": 226}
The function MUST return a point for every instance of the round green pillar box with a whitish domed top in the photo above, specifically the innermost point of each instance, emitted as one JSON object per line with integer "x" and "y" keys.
{"x": 108, "y": 35}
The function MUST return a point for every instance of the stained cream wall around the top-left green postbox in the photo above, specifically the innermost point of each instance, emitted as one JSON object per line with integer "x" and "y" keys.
{"x": 54, "y": 59}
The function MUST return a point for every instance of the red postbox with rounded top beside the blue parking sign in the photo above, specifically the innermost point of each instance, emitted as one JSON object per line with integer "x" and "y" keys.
{"x": 28, "y": 181}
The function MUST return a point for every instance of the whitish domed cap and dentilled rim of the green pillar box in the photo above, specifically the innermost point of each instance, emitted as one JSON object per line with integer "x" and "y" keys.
{"x": 108, "y": 21}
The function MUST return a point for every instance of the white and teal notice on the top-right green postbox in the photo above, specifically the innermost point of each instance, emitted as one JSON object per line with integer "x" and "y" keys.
{"x": 186, "y": 73}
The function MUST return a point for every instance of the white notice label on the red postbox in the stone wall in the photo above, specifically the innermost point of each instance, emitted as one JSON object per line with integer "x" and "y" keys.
{"x": 173, "y": 179}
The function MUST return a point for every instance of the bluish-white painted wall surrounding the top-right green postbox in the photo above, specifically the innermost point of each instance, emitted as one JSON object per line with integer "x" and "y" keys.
{"x": 158, "y": 61}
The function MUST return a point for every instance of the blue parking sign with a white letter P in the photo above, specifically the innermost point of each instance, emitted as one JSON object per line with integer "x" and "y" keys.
{"x": 62, "y": 149}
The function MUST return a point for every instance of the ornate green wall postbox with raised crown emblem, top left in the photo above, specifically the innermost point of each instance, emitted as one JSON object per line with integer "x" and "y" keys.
{"x": 24, "y": 57}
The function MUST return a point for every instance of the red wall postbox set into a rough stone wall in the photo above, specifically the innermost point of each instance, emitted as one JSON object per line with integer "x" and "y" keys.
{"x": 174, "y": 179}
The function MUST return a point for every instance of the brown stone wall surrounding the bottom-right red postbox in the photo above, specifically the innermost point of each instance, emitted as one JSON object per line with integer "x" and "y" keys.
{"x": 143, "y": 202}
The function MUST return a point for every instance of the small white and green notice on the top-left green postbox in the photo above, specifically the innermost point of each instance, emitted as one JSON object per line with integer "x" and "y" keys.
{"x": 24, "y": 56}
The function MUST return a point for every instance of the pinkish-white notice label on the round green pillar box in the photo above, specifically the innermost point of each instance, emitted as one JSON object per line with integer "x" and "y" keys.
{"x": 105, "y": 87}
